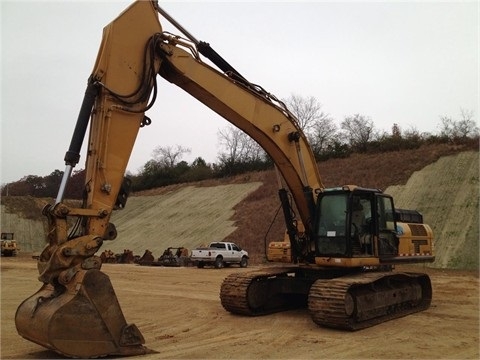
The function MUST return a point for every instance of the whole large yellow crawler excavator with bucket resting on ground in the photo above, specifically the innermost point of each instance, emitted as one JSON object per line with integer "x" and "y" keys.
{"x": 342, "y": 261}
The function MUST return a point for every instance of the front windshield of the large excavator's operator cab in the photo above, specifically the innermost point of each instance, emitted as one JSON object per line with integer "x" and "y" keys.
{"x": 331, "y": 224}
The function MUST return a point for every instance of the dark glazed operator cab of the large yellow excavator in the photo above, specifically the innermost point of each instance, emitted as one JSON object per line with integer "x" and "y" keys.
{"x": 354, "y": 222}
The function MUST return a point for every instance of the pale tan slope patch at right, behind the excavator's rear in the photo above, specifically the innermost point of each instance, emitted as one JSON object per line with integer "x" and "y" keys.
{"x": 446, "y": 193}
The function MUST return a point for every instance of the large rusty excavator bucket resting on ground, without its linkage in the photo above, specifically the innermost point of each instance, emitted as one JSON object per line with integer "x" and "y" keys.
{"x": 82, "y": 319}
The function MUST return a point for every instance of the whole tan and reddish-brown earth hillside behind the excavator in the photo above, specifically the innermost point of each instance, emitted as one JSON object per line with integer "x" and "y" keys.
{"x": 440, "y": 181}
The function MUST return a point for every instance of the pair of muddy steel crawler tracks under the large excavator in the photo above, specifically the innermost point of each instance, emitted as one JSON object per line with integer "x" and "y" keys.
{"x": 350, "y": 302}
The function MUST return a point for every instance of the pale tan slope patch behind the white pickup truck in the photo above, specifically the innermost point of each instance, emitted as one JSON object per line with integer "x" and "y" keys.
{"x": 188, "y": 217}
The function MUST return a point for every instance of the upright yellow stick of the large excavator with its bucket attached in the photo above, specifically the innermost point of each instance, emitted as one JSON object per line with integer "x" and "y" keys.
{"x": 76, "y": 312}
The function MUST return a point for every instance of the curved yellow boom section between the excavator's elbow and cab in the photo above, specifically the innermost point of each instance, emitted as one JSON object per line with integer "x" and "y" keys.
{"x": 256, "y": 112}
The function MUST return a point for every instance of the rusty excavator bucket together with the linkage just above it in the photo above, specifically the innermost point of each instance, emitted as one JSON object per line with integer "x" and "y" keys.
{"x": 76, "y": 312}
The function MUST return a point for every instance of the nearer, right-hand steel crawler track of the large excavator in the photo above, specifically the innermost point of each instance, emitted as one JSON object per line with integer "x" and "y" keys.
{"x": 358, "y": 301}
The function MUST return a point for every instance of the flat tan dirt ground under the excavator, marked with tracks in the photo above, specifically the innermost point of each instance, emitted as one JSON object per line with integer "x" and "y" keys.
{"x": 179, "y": 313}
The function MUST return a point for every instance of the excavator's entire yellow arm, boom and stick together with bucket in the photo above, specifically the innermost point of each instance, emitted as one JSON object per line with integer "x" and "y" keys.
{"x": 76, "y": 312}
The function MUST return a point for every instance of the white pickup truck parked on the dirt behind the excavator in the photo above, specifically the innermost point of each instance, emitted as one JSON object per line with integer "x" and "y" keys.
{"x": 220, "y": 254}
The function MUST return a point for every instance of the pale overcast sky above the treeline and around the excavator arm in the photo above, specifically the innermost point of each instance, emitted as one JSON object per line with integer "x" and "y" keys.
{"x": 396, "y": 62}
